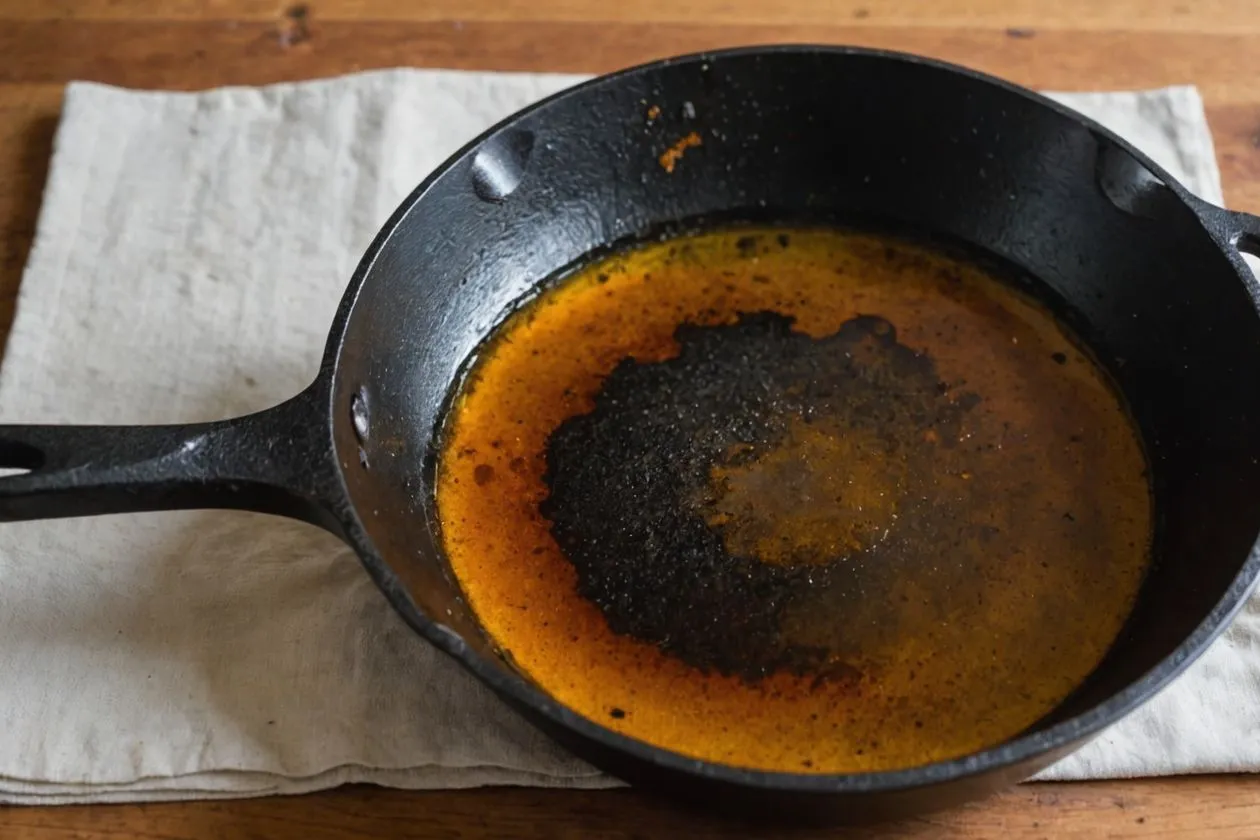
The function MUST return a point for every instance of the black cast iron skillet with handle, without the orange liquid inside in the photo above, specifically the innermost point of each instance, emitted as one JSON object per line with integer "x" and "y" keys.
{"x": 1147, "y": 274}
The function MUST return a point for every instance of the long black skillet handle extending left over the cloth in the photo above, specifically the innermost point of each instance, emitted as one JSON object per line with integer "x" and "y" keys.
{"x": 278, "y": 462}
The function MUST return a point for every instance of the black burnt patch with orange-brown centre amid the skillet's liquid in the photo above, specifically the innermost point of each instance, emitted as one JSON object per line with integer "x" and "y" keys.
{"x": 709, "y": 499}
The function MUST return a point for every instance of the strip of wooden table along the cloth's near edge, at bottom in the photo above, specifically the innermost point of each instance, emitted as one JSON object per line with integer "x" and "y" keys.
{"x": 1217, "y": 808}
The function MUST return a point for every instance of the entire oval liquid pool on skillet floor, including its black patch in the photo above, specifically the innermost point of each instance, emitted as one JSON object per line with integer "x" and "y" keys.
{"x": 796, "y": 501}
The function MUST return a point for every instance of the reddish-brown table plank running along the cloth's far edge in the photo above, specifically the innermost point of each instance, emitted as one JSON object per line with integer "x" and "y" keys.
{"x": 200, "y": 55}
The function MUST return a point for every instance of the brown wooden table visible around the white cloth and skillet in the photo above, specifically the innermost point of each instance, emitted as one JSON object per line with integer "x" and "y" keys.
{"x": 1055, "y": 45}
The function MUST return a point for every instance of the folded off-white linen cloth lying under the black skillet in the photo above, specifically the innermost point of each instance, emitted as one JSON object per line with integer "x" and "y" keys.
{"x": 191, "y": 253}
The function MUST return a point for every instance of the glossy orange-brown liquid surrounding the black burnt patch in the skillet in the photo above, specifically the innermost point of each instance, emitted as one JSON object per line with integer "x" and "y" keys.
{"x": 949, "y": 644}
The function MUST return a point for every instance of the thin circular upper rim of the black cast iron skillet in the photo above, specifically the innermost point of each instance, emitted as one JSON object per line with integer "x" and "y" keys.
{"x": 1050, "y": 744}
